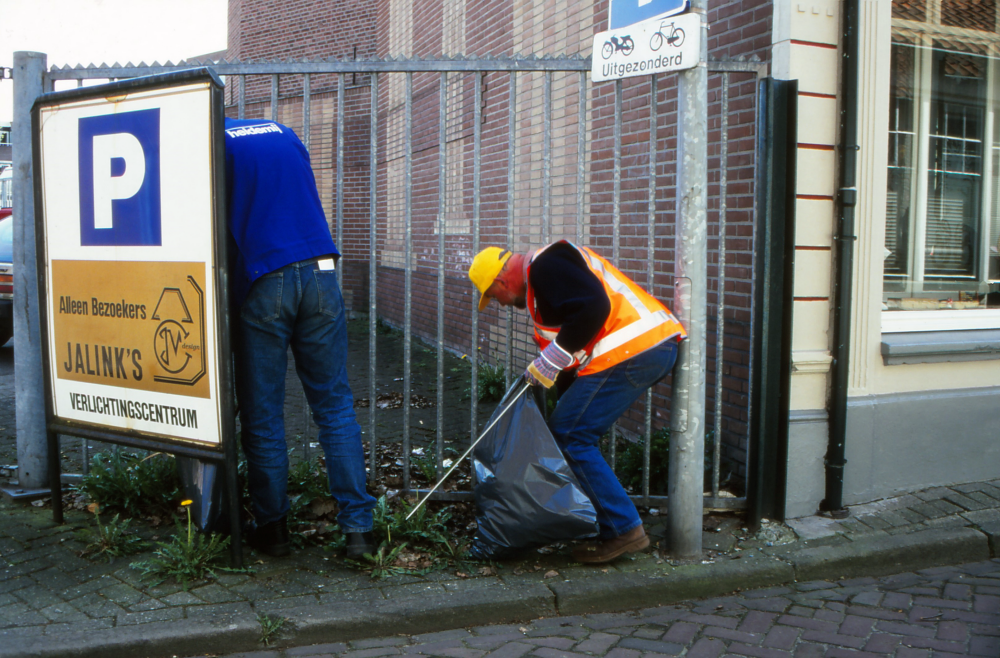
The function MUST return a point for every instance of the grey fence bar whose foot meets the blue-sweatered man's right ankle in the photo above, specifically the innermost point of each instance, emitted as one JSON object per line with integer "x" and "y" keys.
{"x": 372, "y": 276}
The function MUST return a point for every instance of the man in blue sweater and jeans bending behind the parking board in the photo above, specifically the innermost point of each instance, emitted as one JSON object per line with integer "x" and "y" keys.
{"x": 285, "y": 288}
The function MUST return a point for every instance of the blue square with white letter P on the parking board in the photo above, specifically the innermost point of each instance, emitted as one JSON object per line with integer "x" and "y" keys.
{"x": 120, "y": 179}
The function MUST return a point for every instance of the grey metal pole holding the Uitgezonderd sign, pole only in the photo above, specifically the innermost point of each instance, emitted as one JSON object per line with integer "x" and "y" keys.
{"x": 687, "y": 417}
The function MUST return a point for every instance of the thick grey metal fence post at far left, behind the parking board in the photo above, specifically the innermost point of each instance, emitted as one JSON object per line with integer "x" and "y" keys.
{"x": 29, "y": 409}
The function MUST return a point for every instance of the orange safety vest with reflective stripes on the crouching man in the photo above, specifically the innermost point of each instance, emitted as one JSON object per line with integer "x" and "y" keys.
{"x": 636, "y": 323}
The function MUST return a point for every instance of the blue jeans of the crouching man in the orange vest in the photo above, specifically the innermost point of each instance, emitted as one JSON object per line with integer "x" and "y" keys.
{"x": 587, "y": 409}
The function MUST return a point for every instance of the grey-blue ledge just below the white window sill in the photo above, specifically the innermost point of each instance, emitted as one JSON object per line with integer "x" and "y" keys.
{"x": 940, "y": 346}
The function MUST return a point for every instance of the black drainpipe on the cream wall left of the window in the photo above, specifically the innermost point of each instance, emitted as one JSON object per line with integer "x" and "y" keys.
{"x": 844, "y": 282}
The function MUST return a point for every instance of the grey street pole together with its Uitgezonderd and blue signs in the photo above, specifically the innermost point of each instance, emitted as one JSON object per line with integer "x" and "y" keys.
{"x": 648, "y": 37}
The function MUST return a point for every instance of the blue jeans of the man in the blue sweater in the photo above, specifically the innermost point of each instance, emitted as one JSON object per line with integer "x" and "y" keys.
{"x": 301, "y": 306}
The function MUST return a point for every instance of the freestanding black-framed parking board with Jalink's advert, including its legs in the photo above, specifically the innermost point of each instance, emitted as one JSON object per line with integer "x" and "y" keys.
{"x": 131, "y": 244}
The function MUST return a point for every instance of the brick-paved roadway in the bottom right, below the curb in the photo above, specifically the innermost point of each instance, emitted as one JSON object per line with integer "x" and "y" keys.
{"x": 934, "y": 613}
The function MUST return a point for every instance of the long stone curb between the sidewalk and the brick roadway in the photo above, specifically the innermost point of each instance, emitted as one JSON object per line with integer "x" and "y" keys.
{"x": 481, "y": 602}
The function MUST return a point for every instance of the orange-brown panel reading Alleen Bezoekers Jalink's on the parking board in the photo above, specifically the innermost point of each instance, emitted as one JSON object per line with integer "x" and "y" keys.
{"x": 137, "y": 325}
